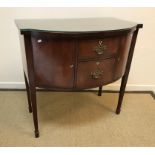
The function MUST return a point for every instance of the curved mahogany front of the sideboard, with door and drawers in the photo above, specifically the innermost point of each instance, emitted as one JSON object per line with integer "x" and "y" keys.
{"x": 79, "y": 62}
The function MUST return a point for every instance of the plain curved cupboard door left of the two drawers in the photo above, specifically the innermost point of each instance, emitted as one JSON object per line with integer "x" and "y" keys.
{"x": 53, "y": 62}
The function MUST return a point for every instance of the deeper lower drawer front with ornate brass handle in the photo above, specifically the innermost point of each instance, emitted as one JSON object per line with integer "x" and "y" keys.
{"x": 95, "y": 73}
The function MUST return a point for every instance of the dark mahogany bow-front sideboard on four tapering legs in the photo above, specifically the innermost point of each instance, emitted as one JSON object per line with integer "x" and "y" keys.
{"x": 75, "y": 54}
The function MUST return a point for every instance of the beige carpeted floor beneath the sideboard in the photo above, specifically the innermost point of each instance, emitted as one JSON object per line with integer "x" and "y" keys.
{"x": 77, "y": 119}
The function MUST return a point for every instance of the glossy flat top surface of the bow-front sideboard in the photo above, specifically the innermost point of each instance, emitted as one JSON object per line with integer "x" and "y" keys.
{"x": 74, "y": 25}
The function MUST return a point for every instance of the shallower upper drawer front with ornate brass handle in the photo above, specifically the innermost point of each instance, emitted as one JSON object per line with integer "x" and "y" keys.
{"x": 104, "y": 48}
